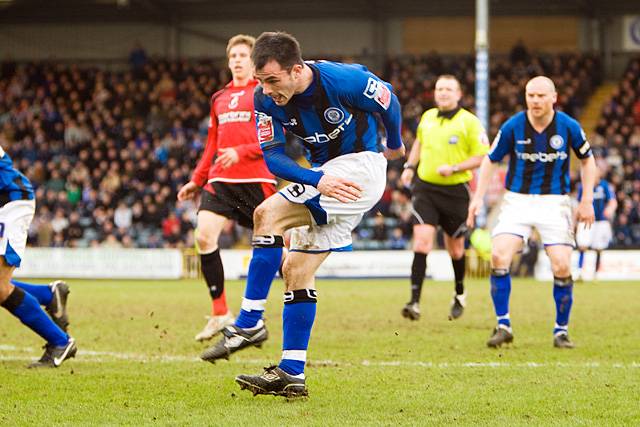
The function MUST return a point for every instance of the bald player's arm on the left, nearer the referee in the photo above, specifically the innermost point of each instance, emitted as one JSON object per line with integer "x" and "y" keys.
{"x": 502, "y": 145}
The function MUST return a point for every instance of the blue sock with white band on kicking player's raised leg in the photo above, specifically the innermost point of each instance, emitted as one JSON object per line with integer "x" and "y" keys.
{"x": 265, "y": 262}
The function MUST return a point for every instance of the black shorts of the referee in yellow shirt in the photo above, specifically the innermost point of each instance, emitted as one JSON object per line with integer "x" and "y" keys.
{"x": 443, "y": 205}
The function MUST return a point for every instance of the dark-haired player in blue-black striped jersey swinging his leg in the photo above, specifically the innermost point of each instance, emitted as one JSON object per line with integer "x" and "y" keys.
{"x": 330, "y": 107}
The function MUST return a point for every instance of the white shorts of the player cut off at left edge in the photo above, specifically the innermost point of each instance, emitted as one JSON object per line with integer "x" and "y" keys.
{"x": 15, "y": 218}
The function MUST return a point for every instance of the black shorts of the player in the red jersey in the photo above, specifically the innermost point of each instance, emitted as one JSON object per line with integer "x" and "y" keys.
{"x": 235, "y": 201}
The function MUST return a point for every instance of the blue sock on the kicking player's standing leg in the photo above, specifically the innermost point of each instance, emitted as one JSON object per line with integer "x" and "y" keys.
{"x": 297, "y": 320}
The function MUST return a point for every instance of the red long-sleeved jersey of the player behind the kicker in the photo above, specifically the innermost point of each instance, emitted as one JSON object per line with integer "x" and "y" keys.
{"x": 232, "y": 124}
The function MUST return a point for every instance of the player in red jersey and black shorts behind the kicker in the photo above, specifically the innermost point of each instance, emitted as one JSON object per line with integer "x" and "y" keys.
{"x": 232, "y": 173}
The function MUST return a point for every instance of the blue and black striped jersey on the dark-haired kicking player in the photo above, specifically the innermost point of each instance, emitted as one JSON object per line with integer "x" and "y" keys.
{"x": 334, "y": 116}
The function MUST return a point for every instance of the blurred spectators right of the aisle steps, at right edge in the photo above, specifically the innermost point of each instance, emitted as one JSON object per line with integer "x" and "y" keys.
{"x": 617, "y": 143}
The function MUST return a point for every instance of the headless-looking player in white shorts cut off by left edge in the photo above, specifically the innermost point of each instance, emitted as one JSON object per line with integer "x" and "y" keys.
{"x": 23, "y": 300}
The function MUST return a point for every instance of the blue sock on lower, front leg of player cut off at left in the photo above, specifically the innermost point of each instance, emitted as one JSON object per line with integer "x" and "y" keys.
{"x": 26, "y": 308}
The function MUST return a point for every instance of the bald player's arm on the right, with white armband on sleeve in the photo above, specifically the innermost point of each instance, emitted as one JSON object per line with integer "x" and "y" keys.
{"x": 588, "y": 171}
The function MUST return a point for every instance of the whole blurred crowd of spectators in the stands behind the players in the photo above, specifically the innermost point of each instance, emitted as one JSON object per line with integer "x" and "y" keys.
{"x": 108, "y": 150}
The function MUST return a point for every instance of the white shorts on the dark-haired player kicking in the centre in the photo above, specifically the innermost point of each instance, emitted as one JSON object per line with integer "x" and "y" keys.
{"x": 333, "y": 220}
